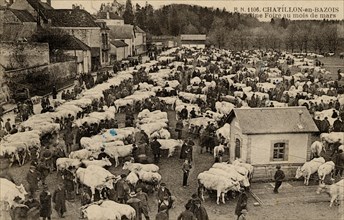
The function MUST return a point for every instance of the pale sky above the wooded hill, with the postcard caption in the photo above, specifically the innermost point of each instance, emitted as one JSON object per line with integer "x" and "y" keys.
{"x": 264, "y": 10}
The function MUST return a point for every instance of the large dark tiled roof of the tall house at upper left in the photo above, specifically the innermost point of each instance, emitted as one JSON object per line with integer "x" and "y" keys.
{"x": 70, "y": 18}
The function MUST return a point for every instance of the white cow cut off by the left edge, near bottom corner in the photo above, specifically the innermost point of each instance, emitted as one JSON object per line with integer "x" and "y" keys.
{"x": 9, "y": 191}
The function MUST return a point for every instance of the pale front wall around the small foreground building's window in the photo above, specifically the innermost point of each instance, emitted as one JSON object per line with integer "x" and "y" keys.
{"x": 261, "y": 148}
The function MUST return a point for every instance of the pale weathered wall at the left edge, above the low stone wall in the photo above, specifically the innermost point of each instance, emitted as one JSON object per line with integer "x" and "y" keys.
{"x": 23, "y": 55}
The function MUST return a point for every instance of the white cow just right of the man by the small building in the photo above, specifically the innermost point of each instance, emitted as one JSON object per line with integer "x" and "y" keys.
{"x": 309, "y": 168}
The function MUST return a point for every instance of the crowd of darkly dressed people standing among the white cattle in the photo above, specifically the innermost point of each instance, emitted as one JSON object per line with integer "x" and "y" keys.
{"x": 44, "y": 160}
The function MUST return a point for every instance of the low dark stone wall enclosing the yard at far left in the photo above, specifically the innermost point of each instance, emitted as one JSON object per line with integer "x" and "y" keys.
{"x": 39, "y": 80}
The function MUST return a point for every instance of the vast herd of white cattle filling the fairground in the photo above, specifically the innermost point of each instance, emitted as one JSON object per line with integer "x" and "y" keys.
{"x": 195, "y": 75}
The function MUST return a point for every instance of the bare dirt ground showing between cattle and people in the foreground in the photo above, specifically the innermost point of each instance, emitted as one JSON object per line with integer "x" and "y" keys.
{"x": 295, "y": 201}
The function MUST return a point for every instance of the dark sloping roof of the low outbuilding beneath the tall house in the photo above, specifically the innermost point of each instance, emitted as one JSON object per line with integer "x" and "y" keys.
{"x": 65, "y": 42}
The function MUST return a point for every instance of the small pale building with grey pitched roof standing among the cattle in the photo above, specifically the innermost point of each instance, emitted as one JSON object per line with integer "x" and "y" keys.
{"x": 265, "y": 137}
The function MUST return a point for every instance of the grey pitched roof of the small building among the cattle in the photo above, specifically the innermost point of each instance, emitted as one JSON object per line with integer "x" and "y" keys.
{"x": 273, "y": 120}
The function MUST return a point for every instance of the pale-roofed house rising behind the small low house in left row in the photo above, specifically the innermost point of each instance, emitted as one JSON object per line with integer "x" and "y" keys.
{"x": 124, "y": 33}
